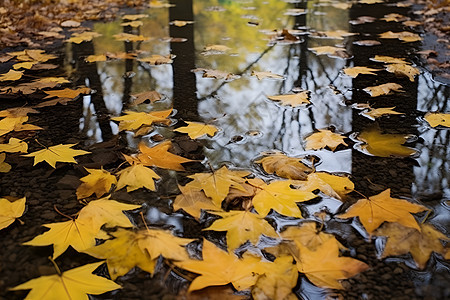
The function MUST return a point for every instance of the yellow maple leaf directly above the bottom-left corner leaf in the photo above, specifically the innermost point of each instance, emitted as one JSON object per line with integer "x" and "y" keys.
{"x": 80, "y": 234}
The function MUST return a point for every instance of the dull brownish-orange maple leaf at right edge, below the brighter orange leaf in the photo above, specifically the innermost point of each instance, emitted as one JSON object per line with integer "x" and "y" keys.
{"x": 401, "y": 240}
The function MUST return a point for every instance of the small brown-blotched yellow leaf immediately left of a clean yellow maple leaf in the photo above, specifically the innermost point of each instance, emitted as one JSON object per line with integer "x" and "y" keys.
{"x": 98, "y": 182}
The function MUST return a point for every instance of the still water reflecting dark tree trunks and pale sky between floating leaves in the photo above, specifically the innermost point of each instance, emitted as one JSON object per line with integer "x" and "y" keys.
{"x": 250, "y": 124}
